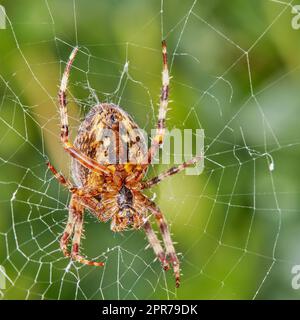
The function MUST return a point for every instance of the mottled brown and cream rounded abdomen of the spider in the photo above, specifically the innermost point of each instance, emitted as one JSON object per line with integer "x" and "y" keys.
{"x": 111, "y": 137}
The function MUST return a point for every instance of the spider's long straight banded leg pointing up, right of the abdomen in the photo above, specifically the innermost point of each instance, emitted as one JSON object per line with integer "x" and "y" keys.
{"x": 163, "y": 107}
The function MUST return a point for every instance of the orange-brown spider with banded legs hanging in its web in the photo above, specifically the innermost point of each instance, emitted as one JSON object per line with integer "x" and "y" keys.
{"x": 114, "y": 191}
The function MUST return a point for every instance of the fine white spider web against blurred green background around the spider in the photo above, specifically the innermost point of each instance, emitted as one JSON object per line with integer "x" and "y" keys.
{"x": 235, "y": 74}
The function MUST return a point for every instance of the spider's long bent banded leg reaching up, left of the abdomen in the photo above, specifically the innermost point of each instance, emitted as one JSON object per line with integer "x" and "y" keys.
{"x": 68, "y": 146}
